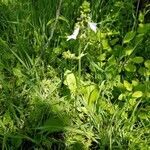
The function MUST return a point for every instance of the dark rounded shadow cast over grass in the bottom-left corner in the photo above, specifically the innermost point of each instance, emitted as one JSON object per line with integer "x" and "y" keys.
{"x": 43, "y": 129}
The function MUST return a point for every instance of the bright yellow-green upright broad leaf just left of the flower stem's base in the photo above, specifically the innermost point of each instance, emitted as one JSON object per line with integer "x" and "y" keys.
{"x": 70, "y": 81}
